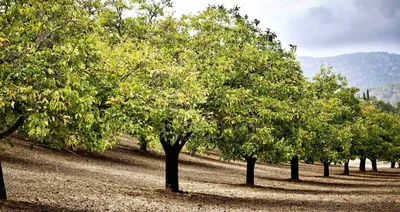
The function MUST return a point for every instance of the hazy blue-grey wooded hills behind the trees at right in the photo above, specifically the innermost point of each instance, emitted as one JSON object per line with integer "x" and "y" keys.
{"x": 377, "y": 71}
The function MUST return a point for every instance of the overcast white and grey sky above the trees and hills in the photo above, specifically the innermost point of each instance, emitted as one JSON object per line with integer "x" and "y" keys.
{"x": 321, "y": 27}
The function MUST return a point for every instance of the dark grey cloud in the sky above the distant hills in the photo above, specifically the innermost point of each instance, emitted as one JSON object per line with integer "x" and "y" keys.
{"x": 353, "y": 22}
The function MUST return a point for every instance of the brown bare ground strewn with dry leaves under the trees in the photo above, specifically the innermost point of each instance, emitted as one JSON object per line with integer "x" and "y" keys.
{"x": 124, "y": 179}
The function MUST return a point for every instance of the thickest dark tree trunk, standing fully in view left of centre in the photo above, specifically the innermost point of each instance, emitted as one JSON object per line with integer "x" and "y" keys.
{"x": 171, "y": 169}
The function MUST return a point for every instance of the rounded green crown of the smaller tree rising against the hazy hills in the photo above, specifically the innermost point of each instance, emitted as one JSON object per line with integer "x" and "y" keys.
{"x": 331, "y": 115}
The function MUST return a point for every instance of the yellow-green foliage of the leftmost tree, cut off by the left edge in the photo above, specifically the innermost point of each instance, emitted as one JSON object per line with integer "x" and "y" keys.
{"x": 51, "y": 67}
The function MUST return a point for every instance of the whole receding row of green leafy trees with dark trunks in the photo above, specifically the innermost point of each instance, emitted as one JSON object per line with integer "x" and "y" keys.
{"x": 77, "y": 73}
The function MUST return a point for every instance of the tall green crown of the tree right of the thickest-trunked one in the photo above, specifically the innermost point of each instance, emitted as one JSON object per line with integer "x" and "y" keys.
{"x": 251, "y": 84}
